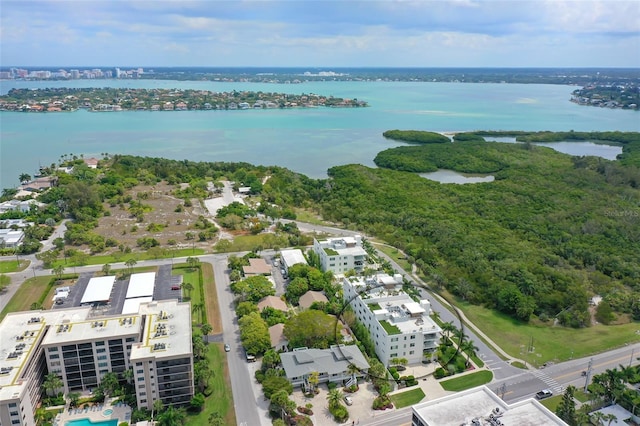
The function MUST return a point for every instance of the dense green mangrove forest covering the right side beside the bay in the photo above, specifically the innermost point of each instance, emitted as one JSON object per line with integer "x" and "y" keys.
{"x": 548, "y": 233}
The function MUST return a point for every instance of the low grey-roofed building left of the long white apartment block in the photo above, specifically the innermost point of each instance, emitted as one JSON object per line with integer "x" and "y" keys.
{"x": 332, "y": 365}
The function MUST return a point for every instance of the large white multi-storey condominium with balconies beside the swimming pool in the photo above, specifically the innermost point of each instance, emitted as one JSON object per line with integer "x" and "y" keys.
{"x": 81, "y": 348}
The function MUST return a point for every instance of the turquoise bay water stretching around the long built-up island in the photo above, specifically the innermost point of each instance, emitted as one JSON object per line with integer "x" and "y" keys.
{"x": 305, "y": 140}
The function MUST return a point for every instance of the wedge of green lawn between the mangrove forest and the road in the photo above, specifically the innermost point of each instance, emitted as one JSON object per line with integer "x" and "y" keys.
{"x": 550, "y": 343}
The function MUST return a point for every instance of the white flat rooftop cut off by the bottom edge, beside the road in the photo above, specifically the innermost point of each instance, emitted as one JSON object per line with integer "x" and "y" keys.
{"x": 479, "y": 407}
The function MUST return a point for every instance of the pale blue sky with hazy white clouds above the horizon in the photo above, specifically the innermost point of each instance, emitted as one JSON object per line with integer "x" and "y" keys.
{"x": 347, "y": 33}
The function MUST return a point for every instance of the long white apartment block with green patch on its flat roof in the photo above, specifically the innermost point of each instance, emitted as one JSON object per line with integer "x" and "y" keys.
{"x": 399, "y": 326}
